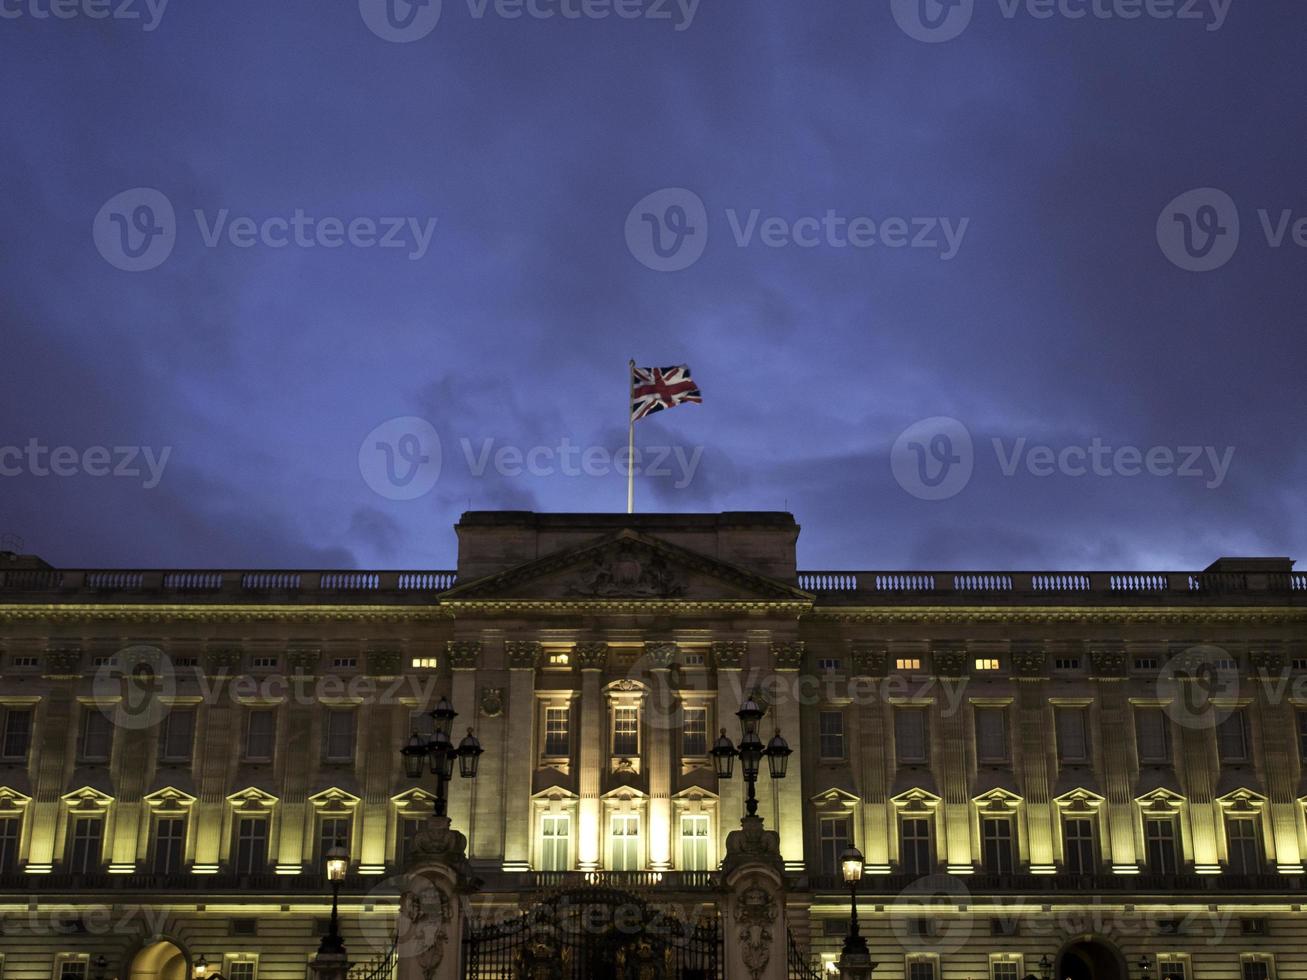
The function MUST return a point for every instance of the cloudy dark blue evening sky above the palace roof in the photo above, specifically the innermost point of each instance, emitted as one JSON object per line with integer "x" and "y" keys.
{"x": 1061, "y": 317}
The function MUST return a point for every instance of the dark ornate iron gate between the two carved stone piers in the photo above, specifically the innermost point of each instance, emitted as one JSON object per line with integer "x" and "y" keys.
{"x": 595, "y": 934}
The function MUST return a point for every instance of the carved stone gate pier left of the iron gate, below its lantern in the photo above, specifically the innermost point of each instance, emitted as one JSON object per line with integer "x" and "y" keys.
{"x": 429, "y": 930}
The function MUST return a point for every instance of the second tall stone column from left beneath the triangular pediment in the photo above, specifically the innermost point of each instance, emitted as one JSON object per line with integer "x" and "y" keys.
{"x": 520, "y": 753}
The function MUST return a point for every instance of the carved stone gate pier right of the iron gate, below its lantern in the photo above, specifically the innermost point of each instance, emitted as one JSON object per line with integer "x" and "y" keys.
{"x": 756, "y": 928}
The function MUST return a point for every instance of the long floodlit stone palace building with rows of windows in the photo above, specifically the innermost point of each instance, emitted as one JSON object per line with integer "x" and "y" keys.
{"x": 1085, "y": 776}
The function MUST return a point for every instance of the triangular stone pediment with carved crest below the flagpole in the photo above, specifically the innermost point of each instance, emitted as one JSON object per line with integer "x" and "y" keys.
{"x": 627, "y": 566}
